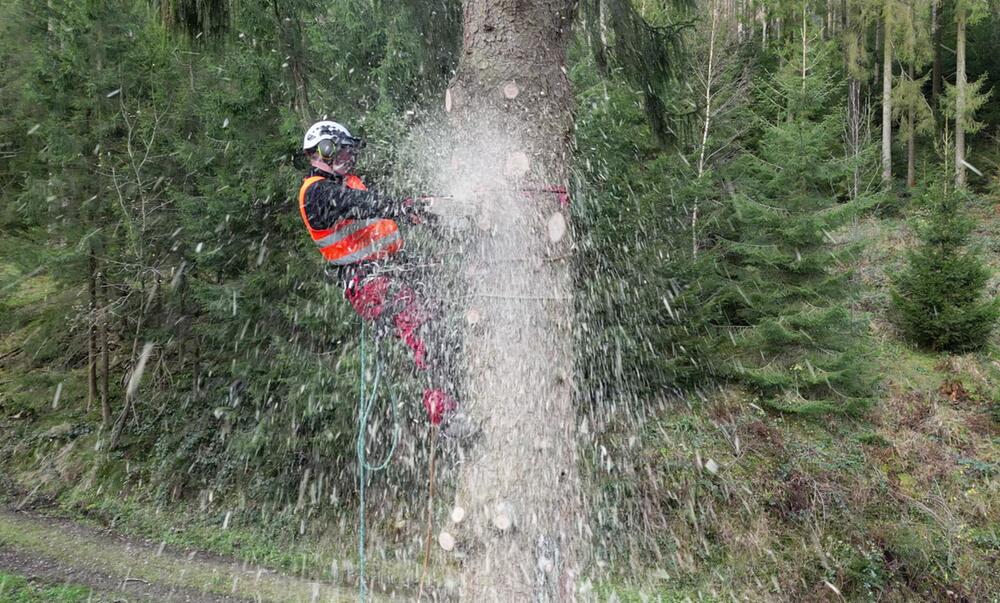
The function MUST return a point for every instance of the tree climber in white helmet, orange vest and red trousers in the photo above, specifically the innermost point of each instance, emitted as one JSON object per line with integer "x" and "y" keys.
{"x": 357, "y": 233}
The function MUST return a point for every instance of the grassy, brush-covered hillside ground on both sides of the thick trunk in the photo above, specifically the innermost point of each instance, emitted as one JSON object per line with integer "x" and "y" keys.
{"x": 713, "y": 498}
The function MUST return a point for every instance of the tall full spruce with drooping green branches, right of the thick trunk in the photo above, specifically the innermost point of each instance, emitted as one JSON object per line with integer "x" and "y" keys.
{"x": 788, "y": 333}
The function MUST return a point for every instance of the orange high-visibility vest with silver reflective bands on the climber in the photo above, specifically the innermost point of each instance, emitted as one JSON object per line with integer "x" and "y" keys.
{"x": 352, "y": 241}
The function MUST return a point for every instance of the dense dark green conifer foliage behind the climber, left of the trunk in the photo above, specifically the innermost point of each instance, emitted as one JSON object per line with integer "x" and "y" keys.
{"x": 171, "y": 157}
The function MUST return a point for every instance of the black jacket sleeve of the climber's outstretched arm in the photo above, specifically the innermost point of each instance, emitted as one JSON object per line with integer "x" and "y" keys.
{"x": 328, "y": 201}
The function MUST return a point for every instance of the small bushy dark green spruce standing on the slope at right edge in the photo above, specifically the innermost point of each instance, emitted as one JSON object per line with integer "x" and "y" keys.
{"x": 939, "y": 296}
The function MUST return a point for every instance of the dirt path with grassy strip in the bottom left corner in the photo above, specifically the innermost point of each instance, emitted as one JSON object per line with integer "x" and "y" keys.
{"x": 59, "y": 551}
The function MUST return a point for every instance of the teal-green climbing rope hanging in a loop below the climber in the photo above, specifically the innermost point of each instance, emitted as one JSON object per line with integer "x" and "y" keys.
{"x": 366, "y": 404}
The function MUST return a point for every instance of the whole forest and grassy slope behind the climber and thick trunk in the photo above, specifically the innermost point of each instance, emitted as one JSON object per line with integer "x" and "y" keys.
{"x": 770, "y": 412}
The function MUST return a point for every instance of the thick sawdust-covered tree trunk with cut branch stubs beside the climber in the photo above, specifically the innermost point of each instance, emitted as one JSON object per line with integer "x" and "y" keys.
{"x": 510, "y": 105}
